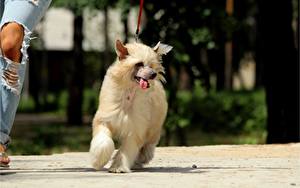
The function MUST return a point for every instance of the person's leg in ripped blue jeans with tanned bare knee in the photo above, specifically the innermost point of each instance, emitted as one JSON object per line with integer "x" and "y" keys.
{"x": 17, "y": 22}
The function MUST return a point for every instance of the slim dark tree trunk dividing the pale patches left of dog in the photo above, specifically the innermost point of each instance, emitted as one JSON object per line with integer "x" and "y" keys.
{"x": 74, "y": 111}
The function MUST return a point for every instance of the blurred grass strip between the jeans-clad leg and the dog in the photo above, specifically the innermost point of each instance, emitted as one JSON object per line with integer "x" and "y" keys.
{"x": 49, "y": 138}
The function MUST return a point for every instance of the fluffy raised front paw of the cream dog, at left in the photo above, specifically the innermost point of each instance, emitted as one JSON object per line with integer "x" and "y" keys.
{"x": 102, "y": 147}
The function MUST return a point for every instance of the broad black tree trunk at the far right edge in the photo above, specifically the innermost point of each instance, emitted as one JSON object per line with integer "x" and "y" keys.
{"x": 281, "y": 70}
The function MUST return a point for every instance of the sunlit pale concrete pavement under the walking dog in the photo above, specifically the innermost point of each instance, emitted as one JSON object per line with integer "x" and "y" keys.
{"x": 206, "y": 166}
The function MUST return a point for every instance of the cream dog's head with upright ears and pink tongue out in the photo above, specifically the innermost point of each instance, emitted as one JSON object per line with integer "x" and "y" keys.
{"x": 139, "y": 63}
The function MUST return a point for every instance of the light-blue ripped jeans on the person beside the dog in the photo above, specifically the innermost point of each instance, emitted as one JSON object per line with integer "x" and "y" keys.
{"x": 26, "y": 13}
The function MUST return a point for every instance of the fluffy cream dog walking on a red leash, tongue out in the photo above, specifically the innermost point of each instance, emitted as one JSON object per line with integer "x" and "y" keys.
{"x": 132, "y": 108}
